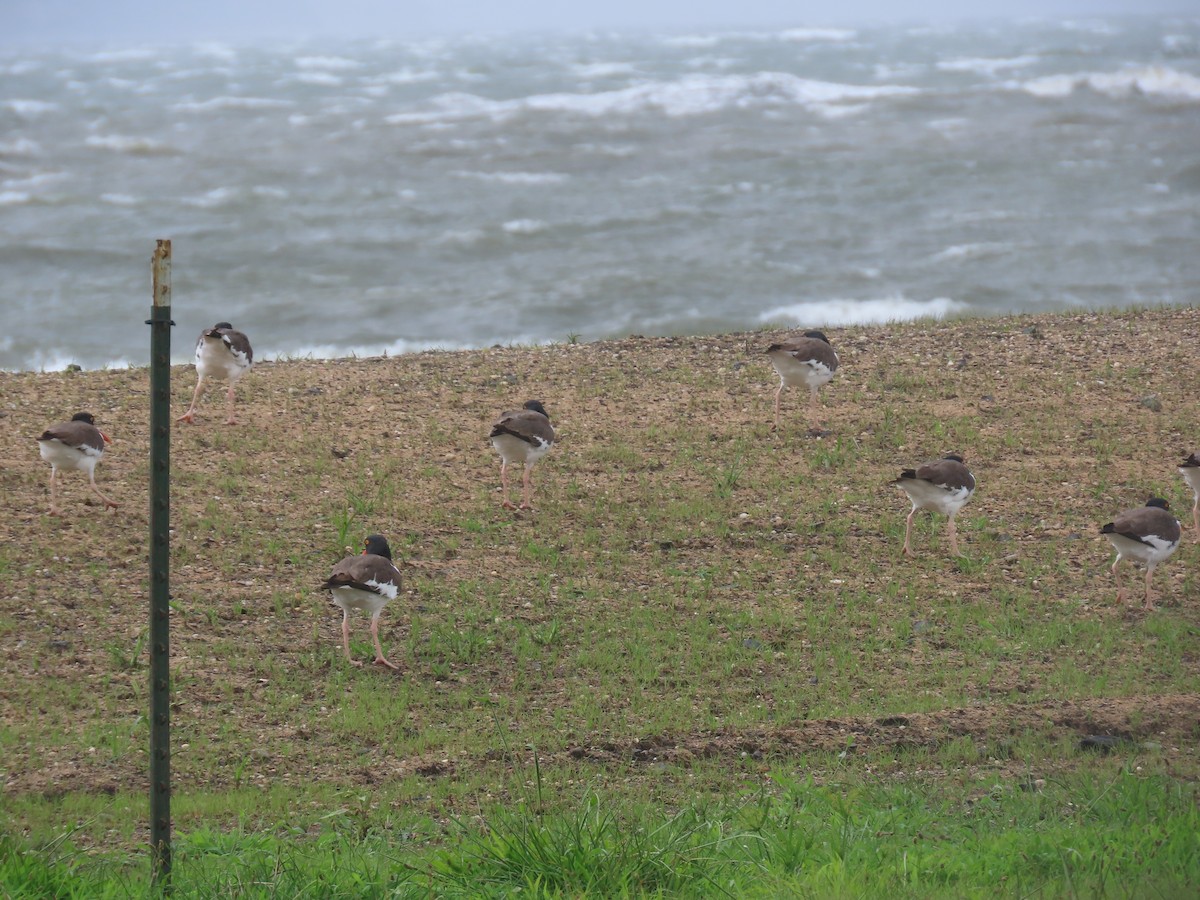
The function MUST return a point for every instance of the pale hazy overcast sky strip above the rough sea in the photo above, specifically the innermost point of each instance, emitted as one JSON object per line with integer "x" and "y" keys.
{"x": 182, "y": 21}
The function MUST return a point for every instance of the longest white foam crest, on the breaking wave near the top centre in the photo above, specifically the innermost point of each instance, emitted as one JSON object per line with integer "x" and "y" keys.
{"x": 691, "y": 95}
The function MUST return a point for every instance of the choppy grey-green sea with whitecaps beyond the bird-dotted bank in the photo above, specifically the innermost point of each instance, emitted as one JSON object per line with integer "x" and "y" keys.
{"x": 335, "y": 199}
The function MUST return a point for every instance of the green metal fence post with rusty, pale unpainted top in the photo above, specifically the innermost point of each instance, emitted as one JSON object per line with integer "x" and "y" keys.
{"x": 160, "y": 561}
